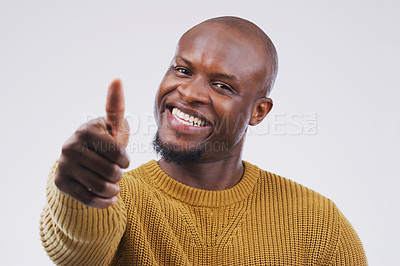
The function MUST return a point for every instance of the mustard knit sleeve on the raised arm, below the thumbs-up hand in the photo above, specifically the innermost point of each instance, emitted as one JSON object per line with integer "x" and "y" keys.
{"x": 74, "y": 234}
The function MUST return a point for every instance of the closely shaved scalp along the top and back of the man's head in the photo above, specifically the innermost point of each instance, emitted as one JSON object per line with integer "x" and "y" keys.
{"x": 258, "y": 37}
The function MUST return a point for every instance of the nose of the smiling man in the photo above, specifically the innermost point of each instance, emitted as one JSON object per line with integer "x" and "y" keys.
{"x": 194, "y": 91}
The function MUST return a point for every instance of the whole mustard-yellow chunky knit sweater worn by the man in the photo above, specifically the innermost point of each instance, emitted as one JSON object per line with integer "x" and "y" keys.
{"x": 263, "y": 220}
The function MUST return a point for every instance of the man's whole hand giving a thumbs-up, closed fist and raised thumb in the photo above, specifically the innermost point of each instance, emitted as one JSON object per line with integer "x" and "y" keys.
{"x": 90, "y": 164}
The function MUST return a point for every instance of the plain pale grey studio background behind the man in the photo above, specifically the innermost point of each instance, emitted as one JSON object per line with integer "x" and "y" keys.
{"x": 339, "y": 62}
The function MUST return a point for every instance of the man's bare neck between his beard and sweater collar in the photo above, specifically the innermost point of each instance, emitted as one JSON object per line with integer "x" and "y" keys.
{"x": 208, "y": 175}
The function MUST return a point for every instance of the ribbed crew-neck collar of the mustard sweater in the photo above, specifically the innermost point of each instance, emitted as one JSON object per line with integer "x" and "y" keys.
{"x": 200, "y": 197}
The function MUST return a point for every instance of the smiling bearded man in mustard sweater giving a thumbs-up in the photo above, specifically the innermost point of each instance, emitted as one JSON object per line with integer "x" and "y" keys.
{"x": 200, "y": 204}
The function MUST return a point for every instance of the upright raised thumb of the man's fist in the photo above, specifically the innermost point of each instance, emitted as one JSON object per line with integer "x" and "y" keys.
{"x": 115, "y": 106}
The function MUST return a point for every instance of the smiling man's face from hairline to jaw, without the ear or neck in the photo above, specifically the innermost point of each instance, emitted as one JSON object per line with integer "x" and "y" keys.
{"x": 206, "y": 97}
